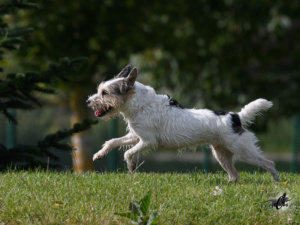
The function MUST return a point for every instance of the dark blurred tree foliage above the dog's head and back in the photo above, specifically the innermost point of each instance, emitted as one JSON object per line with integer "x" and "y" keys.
{"x": 223, "y": 54}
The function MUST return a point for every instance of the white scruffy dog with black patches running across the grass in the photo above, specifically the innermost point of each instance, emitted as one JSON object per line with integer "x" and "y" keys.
{"x": 158, "y": 121}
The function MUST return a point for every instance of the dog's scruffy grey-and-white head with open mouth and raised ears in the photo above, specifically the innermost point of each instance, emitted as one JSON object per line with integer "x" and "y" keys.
{"x": 112, "y": 94}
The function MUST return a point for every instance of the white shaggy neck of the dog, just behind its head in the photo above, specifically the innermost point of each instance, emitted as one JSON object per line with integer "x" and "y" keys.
{"x": 141, "y": 97}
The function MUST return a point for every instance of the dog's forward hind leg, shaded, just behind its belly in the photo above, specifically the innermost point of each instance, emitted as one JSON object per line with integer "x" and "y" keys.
{"x": 225, "y": 158}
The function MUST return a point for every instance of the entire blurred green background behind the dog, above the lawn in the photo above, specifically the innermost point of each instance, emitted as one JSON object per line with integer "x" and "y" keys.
{"x": 212, "y": 54}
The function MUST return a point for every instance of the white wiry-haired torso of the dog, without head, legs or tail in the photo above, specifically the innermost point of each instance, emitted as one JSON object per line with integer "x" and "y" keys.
{"x": 174, "y": 126}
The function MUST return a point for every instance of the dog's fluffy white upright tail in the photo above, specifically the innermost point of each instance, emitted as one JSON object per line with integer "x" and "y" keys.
{"x": 253, "y": 109}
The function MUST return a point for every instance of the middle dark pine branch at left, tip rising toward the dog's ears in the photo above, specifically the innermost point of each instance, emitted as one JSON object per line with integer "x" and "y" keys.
{"x": 20, "y": 87}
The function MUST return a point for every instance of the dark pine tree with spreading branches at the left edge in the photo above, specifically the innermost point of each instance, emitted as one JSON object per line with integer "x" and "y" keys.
{"x": 18, "y": 91}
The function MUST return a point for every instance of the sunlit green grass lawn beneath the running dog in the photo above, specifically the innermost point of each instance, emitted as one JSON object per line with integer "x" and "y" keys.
{"x": 93, "y": 198}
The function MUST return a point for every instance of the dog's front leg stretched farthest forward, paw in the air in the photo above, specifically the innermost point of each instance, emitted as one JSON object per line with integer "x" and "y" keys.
{"x": 129, "y": 139}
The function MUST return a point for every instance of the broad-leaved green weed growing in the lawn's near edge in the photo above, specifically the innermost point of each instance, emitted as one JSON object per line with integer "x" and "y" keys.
{"x": 139, "y": 212}
